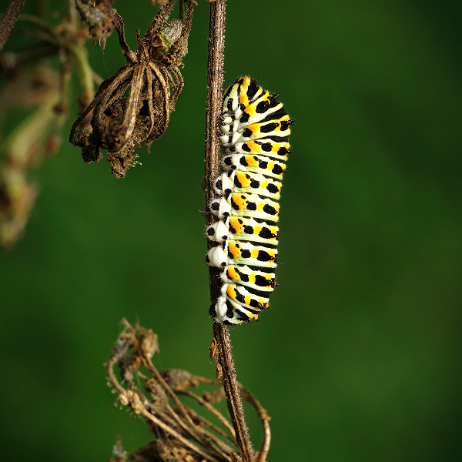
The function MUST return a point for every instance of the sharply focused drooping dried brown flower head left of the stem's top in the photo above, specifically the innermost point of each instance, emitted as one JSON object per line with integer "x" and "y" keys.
{"x": 120, "y": 123}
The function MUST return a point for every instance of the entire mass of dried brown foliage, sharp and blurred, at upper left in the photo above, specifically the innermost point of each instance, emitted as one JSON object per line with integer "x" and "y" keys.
{"x": 117, "y": 123}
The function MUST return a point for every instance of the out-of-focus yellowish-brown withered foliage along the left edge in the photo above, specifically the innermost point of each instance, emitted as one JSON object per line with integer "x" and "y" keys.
{"x": 32, "y": 83}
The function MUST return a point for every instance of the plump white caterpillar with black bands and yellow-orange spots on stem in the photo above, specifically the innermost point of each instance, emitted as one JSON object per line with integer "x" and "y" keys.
{"x": 255, "y": 131}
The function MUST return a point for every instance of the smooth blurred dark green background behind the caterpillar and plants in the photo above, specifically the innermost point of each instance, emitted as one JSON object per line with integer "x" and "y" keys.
{"x": 360, "y": 359}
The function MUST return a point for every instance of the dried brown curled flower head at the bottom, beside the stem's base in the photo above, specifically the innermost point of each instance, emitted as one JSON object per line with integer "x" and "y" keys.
{"x": 181, "y": 434}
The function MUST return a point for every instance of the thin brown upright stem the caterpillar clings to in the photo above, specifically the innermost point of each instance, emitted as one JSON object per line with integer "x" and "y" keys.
{"x": 212, "y": 150}
